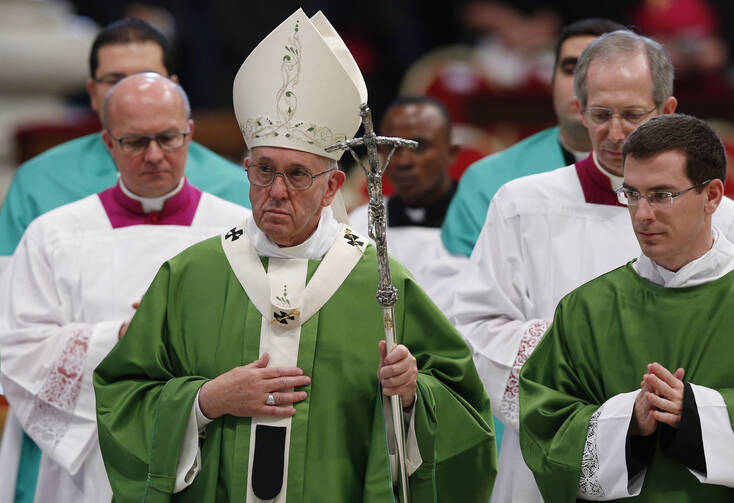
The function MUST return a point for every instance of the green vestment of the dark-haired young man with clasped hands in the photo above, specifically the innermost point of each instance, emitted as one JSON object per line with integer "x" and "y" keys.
{"x": 602, "y": 338}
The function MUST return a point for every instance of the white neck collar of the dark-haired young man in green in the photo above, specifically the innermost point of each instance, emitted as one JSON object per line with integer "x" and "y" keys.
{"x": 713, "y": 264}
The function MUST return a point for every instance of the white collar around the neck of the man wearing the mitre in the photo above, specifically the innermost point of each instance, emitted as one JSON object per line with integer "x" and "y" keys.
{"x": 314, "y": 248}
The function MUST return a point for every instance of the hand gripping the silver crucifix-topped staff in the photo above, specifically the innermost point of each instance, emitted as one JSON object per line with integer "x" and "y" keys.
{"x": 398, "y": 373}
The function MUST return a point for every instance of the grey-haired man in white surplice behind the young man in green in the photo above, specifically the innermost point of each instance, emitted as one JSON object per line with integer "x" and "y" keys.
{"x": 549, "y": 233}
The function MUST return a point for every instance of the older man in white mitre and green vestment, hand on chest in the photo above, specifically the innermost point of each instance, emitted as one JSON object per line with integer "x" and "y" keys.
{"x": 254, "y": 369}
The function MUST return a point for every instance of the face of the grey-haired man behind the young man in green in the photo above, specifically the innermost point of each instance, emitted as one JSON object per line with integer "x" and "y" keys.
{"x": 621, "y": 84}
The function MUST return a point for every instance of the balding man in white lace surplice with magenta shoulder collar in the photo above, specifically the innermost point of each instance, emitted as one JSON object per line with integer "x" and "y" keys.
{"x": 74, "y": 279}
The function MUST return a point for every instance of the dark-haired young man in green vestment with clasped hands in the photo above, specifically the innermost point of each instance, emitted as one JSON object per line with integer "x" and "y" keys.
{"x": 630, "y": 393}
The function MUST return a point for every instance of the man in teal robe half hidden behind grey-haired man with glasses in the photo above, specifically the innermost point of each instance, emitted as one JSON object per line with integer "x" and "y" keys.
{"x": 549, "y": 149}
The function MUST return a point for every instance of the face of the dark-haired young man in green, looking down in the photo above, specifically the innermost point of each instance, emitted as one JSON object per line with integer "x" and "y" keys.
{"x": 672, "y": 235}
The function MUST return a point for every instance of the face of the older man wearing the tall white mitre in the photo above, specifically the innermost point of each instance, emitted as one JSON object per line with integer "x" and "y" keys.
{"x": 288, "y": 217}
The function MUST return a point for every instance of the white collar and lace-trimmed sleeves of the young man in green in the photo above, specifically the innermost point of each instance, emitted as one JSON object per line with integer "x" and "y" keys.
{"x": 606, "y": 476}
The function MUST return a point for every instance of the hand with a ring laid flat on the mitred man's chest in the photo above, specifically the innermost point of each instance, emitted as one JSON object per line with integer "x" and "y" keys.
{"x": 243, "y": 391}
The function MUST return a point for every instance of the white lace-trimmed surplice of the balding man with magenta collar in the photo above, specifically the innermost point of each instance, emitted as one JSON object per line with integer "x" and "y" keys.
{"x": 68, "y": 288}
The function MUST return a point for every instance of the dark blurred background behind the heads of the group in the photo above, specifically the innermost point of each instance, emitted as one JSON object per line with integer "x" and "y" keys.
{"x": 490, "y": 61}
